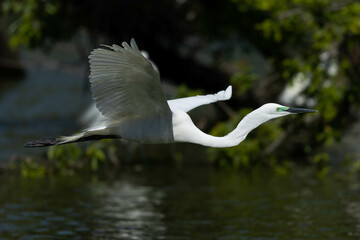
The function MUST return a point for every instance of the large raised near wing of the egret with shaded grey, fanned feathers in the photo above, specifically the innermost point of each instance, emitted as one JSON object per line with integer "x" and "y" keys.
{"x": 126, "y": 89}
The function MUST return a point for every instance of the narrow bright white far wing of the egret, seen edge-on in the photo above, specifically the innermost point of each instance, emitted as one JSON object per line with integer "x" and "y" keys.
{"x": 189, "y": 103}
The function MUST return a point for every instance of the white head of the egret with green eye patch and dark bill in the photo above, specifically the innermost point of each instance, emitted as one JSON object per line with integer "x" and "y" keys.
{"x": 274, "y": 110}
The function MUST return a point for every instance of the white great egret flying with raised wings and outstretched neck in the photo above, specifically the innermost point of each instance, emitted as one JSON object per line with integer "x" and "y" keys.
{"x": 126, "y": 89}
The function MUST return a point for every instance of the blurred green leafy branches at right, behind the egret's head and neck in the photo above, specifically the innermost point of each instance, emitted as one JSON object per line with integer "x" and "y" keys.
{"x": 317, "y": 39}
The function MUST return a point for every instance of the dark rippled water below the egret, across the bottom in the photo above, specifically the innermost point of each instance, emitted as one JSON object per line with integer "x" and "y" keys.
{"x": 160, "y": 203}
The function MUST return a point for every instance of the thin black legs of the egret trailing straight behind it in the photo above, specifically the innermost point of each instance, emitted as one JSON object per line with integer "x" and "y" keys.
{"x": 81, "y": 137}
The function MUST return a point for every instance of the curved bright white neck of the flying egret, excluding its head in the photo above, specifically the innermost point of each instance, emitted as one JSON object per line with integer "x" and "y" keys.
{"x": 191, "y": 133}
